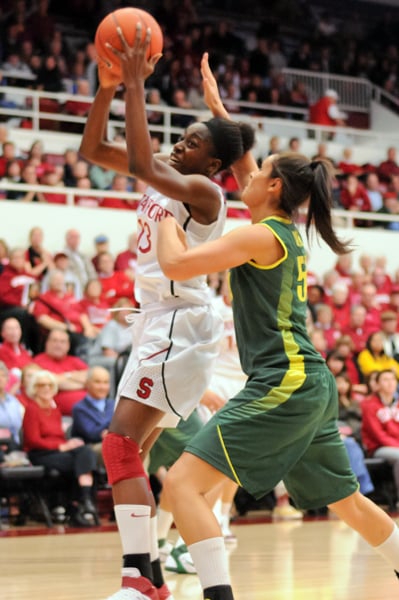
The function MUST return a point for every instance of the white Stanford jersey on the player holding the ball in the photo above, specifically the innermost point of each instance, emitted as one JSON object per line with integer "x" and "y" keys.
{"x": 151, "y": 285}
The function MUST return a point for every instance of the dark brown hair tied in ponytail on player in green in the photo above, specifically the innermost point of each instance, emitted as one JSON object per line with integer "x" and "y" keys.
{"x": 303, "y": 181}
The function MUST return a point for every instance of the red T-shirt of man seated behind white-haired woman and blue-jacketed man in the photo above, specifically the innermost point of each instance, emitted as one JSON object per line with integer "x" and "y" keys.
{"x": 65, "y": 399}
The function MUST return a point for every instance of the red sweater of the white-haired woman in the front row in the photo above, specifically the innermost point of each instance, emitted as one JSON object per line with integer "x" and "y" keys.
{"x": 42, "y": 428}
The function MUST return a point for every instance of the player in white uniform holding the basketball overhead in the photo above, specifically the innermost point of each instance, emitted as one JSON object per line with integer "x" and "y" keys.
{"x": 175, "y": 336}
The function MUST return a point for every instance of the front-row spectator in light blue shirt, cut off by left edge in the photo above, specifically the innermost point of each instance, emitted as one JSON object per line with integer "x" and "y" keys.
{"x": 11, "y": 412}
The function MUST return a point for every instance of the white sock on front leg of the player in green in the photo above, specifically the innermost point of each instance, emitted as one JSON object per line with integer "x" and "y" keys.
{"x": 211, "y": 562}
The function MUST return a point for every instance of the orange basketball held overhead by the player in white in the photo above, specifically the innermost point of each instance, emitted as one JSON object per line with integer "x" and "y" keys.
{"x": 126, "y": 19}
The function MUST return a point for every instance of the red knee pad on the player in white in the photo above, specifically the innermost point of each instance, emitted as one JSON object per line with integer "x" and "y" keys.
{"x": 122, "y": 458}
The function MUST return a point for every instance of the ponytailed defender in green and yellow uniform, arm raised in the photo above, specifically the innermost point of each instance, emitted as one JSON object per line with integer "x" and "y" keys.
{"x": 282, "y": 425}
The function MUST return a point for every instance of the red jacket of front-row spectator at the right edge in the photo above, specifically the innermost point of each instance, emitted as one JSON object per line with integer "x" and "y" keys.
{"x": 380, "y": 424}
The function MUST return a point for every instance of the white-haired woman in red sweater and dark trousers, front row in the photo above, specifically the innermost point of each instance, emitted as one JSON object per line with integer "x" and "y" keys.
{"x": 46, "y": 444}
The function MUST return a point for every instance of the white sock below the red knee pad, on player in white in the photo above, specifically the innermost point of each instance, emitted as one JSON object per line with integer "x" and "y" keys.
{"x": 133, "y": 522}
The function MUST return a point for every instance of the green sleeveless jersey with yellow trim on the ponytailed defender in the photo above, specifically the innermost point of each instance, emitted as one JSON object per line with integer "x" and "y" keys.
{"x": 270, "y": 309}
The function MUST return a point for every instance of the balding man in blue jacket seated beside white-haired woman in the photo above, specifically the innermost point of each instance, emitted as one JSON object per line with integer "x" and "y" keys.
{"x": 92, "y": 415}
